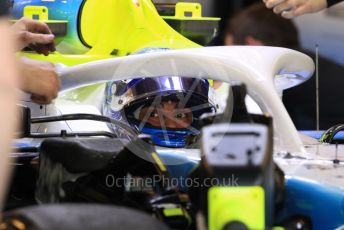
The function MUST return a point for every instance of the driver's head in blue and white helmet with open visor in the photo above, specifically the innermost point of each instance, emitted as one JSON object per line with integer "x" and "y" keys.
{"x": 167, "y": 108}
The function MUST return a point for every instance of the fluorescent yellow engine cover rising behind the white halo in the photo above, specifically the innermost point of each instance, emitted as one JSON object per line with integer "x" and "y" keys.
{"x": 113, "y": 28}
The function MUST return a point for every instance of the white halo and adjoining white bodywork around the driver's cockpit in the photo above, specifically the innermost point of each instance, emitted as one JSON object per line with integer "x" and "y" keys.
{"x": 266, "y": 71}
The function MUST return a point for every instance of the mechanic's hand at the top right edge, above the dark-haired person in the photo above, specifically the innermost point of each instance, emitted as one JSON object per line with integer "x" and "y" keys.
{"x": 293, "y": 8}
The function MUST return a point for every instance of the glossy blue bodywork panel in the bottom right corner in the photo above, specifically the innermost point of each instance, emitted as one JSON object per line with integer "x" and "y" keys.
{"x": 323, "y": 204}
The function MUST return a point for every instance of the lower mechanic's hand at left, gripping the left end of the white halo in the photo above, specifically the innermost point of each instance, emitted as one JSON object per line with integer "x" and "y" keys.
{"x": 39, "y": 79}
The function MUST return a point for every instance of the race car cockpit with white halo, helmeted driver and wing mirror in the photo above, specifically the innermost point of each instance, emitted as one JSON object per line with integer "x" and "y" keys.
{"x": 143, "y": 95}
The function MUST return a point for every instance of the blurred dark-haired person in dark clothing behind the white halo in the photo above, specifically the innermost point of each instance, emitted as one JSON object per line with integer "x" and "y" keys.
{"x": 257, "y": 25}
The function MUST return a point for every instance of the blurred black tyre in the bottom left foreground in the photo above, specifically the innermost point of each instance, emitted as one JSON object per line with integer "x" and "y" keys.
{"x": 79, "y": 216}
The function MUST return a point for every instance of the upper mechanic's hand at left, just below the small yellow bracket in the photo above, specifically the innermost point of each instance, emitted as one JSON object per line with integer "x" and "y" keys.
{"x": 35, "y": 35}
